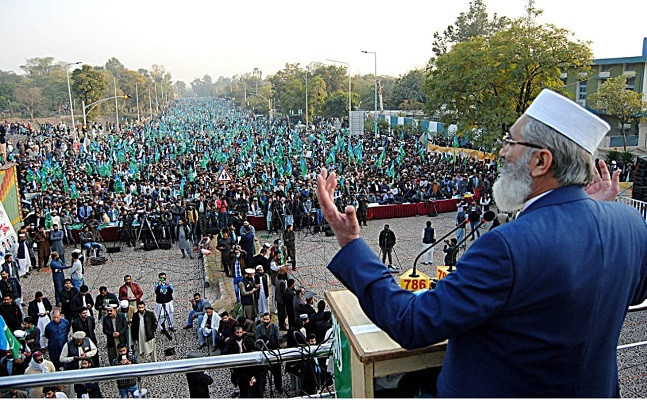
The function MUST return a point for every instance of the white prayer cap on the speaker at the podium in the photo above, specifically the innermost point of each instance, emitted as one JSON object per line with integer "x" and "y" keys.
{"x": 569, "y": 118}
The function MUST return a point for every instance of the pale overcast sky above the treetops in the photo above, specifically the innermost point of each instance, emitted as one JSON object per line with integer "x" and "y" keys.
{"x": 194, "y": 38}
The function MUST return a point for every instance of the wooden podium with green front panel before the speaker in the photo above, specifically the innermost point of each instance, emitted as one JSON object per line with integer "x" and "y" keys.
{"x": 363, "y": 352}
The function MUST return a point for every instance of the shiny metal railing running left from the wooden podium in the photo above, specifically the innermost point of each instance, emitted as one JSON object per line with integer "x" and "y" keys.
{"x": 164, "y": 367}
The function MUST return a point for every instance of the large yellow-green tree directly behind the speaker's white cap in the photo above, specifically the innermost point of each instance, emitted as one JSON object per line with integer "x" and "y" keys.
{"x": 484, "y": 84}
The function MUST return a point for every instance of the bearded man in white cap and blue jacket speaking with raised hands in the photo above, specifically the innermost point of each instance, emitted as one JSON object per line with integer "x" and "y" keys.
{"x": 535, "y": 307}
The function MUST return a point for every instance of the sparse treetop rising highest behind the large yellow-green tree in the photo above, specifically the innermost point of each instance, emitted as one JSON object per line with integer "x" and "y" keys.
{"x": 470, "y": 24}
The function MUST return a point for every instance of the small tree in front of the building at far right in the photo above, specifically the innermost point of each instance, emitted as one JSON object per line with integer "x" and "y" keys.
{"x": 615, "y": 100}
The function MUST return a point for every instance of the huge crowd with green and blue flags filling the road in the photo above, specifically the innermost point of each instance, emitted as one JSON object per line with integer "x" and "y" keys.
{"x": 163, "y": 174}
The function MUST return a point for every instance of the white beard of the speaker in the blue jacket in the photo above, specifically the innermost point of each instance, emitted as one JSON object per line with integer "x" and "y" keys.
{"x": 514, "y": 185}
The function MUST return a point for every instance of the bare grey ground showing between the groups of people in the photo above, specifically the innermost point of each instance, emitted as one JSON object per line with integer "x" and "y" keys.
{"x": 313, "y": 253}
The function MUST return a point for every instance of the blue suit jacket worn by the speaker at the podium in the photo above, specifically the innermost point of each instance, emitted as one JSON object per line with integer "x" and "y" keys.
{"x": 534, "y": 308}
